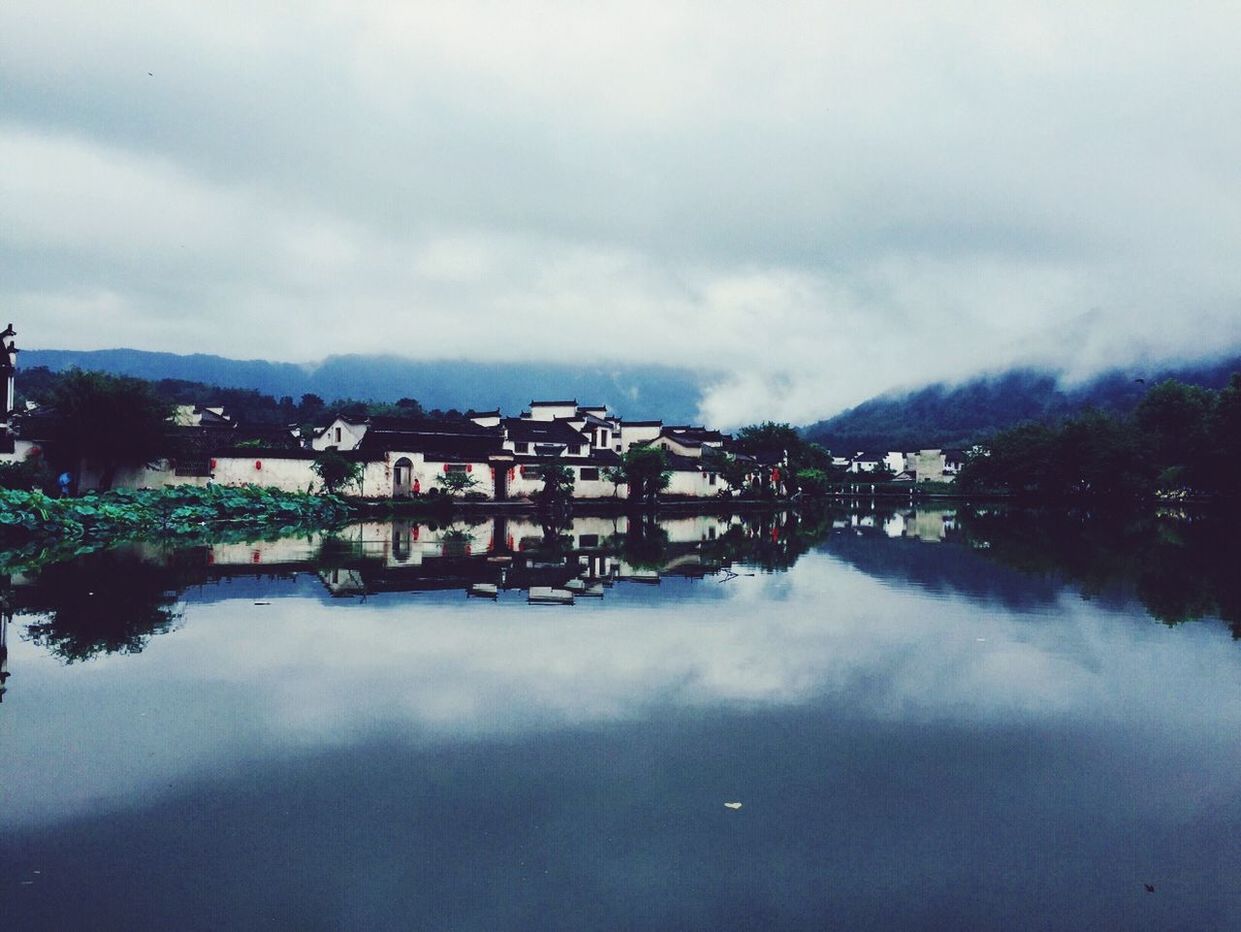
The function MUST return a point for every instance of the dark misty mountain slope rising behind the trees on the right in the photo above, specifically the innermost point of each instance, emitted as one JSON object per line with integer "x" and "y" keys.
{"x": 961, "y": 415}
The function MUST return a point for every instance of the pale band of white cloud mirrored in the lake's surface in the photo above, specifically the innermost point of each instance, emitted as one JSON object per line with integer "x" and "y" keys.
{"x": 240, "y": 679}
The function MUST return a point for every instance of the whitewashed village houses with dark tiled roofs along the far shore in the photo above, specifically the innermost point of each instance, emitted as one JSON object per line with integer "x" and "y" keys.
{"x": 482, "y": 456}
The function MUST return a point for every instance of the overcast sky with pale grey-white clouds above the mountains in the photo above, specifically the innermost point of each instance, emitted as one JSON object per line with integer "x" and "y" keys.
{"x": 822, "y": 200}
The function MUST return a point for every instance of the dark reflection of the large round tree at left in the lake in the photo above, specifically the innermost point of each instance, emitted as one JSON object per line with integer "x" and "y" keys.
{"x": 104, "y": 604}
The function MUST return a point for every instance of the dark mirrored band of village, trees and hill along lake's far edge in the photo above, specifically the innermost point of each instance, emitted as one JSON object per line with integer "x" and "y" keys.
{"x": 1178, "y": 567}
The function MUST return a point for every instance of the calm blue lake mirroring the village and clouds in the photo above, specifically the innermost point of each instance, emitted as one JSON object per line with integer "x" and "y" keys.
{"x": 933, "y": 720}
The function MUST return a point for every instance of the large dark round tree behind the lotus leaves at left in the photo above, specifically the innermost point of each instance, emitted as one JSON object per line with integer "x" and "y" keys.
{"x": 109, "y": 423}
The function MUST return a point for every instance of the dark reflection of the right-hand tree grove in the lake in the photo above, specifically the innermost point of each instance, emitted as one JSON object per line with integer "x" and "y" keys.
{"x": 1180, "y": 568}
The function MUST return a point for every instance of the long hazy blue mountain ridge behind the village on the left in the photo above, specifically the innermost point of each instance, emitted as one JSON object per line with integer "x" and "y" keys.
{"x": 631, "y": 390}
